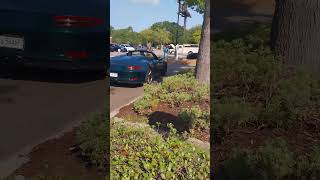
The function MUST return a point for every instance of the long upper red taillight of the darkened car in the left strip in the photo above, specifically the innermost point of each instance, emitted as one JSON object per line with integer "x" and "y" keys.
{"x": 76, "y": 21}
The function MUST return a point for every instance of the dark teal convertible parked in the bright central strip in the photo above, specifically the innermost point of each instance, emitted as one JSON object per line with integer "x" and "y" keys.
{"x": 137, "y": 67}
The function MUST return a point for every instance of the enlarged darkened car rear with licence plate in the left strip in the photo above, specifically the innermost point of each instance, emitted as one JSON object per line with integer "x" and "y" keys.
{"x": 54, "y": 34}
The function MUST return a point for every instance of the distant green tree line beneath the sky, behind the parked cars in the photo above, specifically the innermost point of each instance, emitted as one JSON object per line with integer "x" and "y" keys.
{"x": 157, "y": 34}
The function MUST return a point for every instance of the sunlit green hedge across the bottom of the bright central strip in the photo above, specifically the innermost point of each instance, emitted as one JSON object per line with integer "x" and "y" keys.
{"x": 144, "y": 154}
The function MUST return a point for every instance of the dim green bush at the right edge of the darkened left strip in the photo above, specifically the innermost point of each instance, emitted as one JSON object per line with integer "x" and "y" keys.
{"x": 93, "y": 139}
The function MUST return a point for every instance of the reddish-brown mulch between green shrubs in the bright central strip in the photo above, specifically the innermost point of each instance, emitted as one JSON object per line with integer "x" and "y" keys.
{"x": 164, "y": 113}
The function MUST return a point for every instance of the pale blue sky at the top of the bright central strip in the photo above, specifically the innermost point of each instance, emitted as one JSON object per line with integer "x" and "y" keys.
{"x": 141, "y": 14}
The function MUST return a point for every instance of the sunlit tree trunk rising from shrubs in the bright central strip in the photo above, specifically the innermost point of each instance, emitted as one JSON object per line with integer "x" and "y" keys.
{"x": 203, "y": 63}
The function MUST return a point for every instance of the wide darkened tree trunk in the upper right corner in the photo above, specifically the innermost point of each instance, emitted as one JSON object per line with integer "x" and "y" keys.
{"x": 295, "y": 32}
